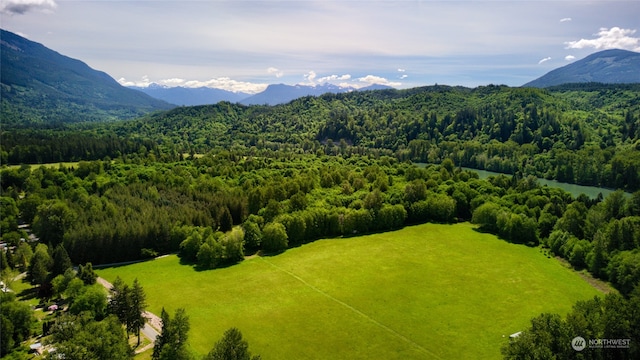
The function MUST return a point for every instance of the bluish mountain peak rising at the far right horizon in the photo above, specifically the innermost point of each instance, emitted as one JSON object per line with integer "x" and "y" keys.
{"x": 608, "y": 67}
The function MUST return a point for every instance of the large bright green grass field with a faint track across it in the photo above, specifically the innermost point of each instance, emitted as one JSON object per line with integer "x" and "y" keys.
{"x": 423, "y": 292}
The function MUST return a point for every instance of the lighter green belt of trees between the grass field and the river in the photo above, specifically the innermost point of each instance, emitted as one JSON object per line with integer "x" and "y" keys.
{"x": 216, "y": 208}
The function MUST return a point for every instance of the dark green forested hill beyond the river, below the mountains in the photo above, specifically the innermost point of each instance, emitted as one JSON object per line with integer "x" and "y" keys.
{"x": 553, "y": 134}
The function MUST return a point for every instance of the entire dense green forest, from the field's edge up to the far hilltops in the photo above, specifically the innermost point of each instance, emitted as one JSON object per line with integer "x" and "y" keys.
{"x": 217, "y": 182}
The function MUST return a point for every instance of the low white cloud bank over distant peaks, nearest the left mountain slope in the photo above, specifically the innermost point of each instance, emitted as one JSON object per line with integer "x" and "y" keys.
{"x": 223, "y": 83}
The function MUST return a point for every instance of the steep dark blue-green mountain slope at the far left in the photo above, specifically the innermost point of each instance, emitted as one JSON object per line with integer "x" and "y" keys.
{"x": 40, "y": 85}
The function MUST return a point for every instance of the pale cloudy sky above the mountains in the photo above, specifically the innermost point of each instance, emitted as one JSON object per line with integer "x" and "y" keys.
{"x": 246, "y": 45}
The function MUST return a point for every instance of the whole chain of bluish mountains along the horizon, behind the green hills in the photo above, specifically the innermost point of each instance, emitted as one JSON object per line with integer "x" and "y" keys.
{"x": 39, "y": 85}
